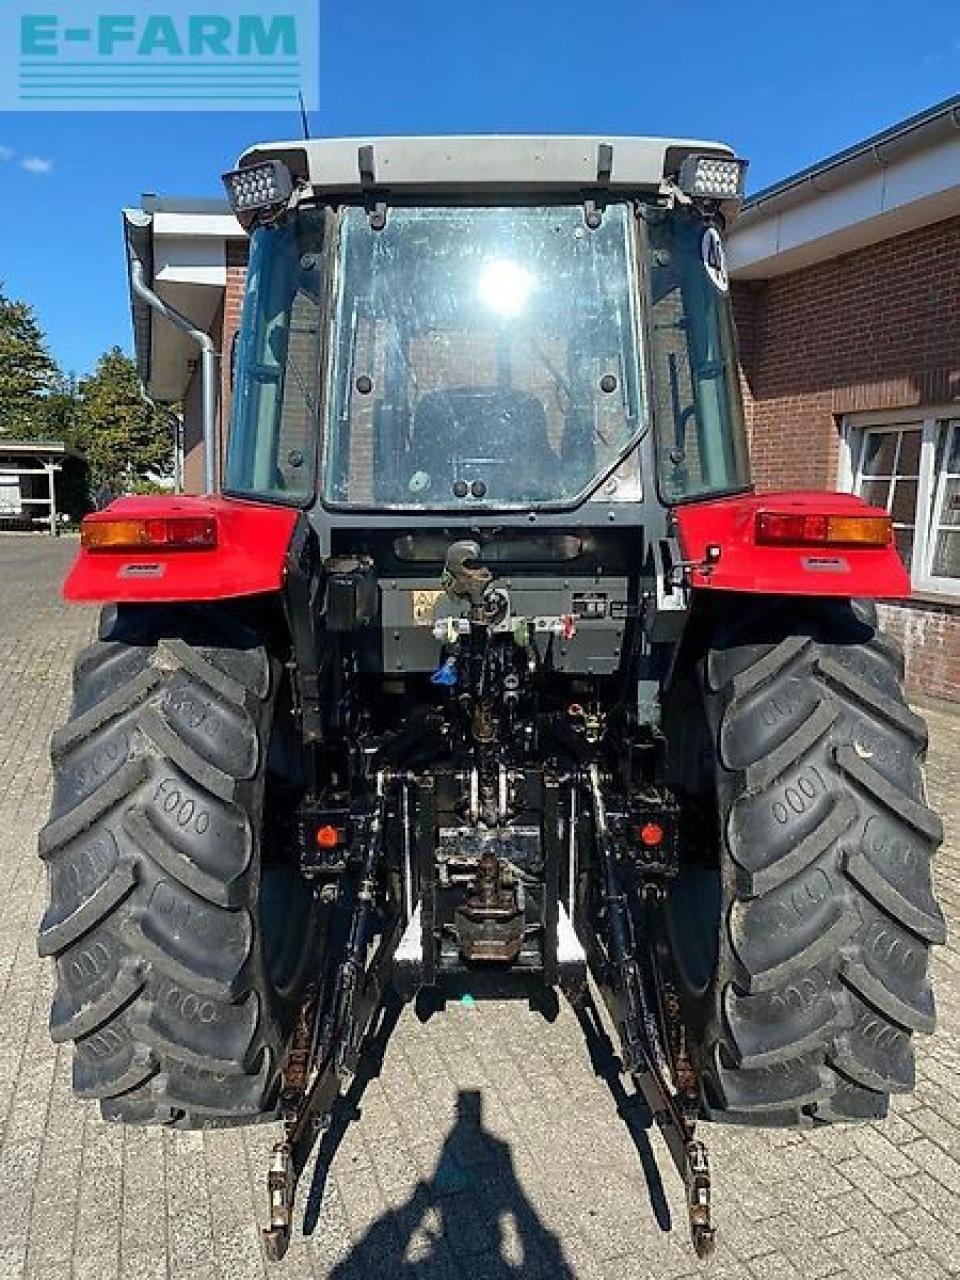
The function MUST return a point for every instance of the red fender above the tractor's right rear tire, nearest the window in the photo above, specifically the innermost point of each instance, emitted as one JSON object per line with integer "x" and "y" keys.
{"x": 719, "y": 541}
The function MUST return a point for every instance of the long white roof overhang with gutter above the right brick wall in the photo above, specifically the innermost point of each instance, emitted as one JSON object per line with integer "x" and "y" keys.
{"x": 895, "y": 182}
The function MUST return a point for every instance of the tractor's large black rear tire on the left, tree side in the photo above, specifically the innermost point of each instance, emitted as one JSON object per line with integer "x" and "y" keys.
{"x": 181, "y": 943}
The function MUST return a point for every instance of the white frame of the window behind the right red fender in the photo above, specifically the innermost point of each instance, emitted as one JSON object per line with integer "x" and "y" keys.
{"x": 930, "y": 490}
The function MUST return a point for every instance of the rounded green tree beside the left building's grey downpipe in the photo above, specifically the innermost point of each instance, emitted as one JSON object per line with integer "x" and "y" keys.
{"x": 125, "y": 438}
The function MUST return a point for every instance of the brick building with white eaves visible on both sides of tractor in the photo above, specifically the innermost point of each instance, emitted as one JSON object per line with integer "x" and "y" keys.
{"x": 847, "y": 289}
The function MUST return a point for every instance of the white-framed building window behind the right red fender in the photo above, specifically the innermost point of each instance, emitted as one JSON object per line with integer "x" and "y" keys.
{"x": 912, "y": 468}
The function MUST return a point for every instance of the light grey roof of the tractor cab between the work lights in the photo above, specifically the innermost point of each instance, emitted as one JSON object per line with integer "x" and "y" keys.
{"x": 484, "y": 163}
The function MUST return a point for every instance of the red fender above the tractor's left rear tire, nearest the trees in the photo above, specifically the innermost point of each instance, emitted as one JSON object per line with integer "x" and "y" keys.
{"x": 253, "y": 541}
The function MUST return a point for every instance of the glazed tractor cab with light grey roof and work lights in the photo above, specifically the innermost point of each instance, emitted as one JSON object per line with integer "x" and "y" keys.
{"x": 486, "y": 326}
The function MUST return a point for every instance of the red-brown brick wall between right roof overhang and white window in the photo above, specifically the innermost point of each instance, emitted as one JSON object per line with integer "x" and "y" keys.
{"x": 879, "y": 328}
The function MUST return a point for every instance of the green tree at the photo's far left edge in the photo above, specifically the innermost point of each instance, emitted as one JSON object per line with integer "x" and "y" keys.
{"x": 28, "y": 372}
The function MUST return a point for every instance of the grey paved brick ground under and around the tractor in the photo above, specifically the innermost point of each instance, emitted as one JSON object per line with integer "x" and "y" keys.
{"x": 486, "y": 1148}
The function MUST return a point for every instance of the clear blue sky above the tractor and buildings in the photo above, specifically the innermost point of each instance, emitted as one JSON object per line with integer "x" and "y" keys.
{"x": 787, "y": 84}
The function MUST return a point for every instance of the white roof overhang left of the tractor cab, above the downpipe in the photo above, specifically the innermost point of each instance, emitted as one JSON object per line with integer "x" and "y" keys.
{"x": 182, "y": 245}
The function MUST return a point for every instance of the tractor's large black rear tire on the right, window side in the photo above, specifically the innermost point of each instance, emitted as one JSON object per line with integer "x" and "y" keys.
{"x": 803, "y": 935}
